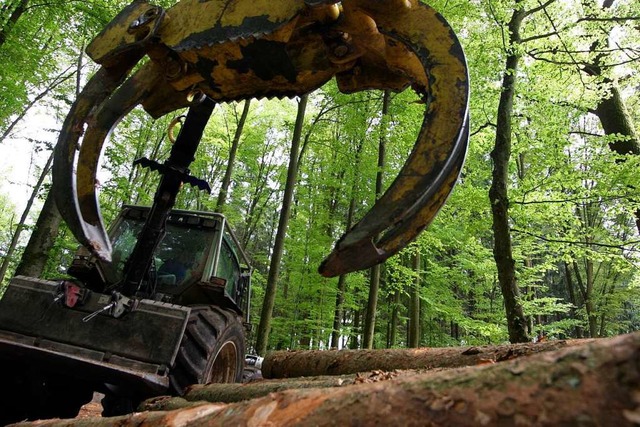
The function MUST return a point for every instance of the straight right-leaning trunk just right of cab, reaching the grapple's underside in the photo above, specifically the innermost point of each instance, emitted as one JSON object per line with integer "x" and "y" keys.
{"x": 274, "y": 269}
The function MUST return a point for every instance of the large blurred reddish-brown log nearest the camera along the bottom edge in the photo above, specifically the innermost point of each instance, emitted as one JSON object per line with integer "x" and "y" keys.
{"x": 592, "y": 384}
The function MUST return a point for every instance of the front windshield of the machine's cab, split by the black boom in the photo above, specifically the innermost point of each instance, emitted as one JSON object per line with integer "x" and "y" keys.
{"x": 180, "y": 257}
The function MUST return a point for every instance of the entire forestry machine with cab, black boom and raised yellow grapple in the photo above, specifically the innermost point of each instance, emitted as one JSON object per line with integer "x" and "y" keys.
{"x": 124, "y": 321}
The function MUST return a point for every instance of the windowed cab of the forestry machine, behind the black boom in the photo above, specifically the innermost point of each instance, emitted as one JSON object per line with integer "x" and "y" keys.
{"x": 198, "y": 259}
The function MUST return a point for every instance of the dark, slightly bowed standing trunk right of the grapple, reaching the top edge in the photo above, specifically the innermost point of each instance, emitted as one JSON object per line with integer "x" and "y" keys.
{"x": 502, "y": 250}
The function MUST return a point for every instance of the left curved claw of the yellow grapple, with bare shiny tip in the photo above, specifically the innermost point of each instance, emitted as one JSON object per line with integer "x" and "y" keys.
{"x": 75, "y": 191}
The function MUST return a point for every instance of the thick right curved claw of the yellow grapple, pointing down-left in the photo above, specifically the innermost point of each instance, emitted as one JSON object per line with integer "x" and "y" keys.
{"x": 430, "y": 172}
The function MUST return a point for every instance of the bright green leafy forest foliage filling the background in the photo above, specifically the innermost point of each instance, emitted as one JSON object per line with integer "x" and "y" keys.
{"x": 572, "y": 200}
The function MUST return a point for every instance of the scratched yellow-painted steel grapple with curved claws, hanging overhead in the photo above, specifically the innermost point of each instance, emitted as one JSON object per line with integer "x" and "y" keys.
{"x": 240, "y": 49}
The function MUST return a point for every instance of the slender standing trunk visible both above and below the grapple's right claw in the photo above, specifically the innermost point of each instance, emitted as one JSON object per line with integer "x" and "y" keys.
{"x": 374, "y": 284}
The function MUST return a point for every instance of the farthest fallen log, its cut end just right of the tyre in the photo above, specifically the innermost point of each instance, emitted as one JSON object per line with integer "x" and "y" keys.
{"x": 288, "y": 364}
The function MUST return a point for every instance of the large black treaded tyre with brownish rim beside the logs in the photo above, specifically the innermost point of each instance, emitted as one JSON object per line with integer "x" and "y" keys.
{"x": 212, "y": 349}
